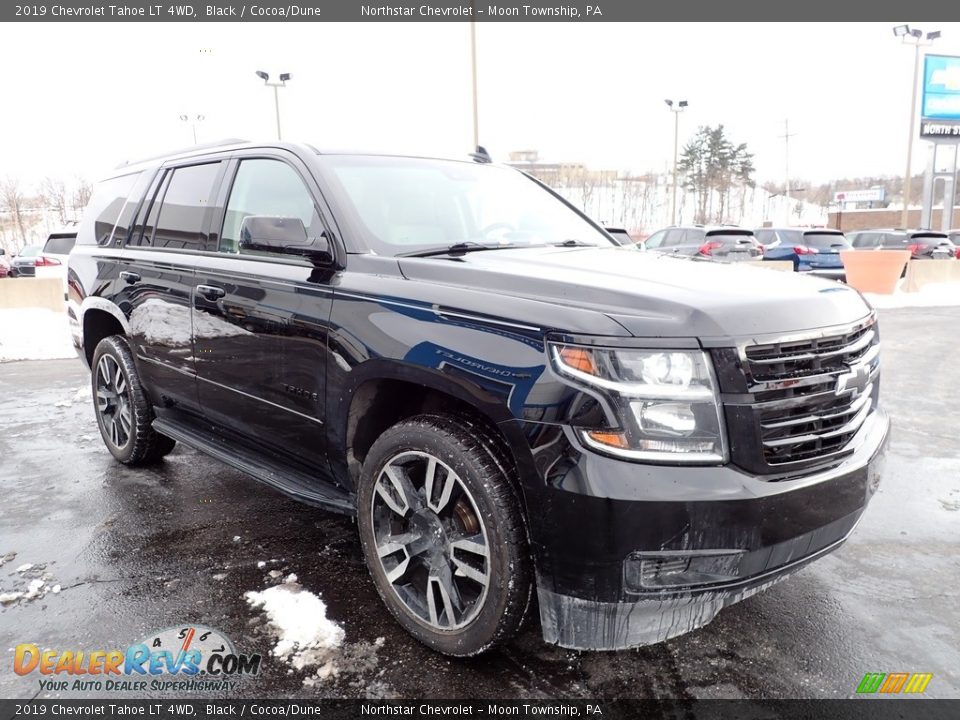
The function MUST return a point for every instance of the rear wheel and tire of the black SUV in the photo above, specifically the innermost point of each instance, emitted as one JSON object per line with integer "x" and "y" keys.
{"x": 124, "y": 413}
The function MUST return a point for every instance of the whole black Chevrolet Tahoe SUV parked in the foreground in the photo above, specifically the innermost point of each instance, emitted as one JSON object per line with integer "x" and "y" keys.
{"x": 506, "y": 400}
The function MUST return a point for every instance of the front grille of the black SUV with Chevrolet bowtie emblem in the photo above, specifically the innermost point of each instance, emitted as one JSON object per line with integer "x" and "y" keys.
{"x": 810, "y": 395}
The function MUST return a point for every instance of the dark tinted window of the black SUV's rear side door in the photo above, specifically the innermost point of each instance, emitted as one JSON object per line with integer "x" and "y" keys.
{"x": 184, "y": 206}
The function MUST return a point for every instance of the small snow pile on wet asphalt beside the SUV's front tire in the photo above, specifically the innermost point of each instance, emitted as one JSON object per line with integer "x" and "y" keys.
{"x": 306, "y": 638}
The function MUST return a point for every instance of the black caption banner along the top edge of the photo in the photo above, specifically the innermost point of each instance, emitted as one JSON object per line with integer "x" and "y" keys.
{"x": 478, "y": 10}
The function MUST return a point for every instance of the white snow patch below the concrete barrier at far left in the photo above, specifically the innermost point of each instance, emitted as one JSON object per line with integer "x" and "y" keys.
{"x": 34, "y": 334}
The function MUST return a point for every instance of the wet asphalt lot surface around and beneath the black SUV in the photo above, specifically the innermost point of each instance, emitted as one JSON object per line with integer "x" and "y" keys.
{"x": 136, "y": 550}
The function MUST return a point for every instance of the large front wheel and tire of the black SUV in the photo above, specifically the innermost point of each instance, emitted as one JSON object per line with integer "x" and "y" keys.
{"x": 452, "y": 566}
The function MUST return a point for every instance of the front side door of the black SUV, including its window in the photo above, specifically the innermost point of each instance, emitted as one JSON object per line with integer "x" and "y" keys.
{"x": 261, "y": 319}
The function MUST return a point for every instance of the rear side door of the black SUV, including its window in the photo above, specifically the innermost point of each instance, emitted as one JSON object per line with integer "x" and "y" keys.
{"x": 157, "y": 278}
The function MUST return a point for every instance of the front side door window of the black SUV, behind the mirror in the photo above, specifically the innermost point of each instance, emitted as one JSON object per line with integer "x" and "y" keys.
{"x": 267, "y": 188}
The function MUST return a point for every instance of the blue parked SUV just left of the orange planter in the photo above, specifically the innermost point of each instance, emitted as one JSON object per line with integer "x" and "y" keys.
{"x": 812, "y": 250}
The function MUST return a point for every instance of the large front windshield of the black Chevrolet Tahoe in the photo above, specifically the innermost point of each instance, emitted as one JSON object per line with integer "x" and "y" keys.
{"x": 406, "y": 205}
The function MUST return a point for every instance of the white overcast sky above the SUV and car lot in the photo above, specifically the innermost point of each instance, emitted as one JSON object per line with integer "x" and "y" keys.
{"x": 80, "y": 98}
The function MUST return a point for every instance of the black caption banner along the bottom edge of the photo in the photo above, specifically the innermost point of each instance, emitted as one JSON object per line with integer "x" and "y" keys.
{"x": 859, "y": 709}
